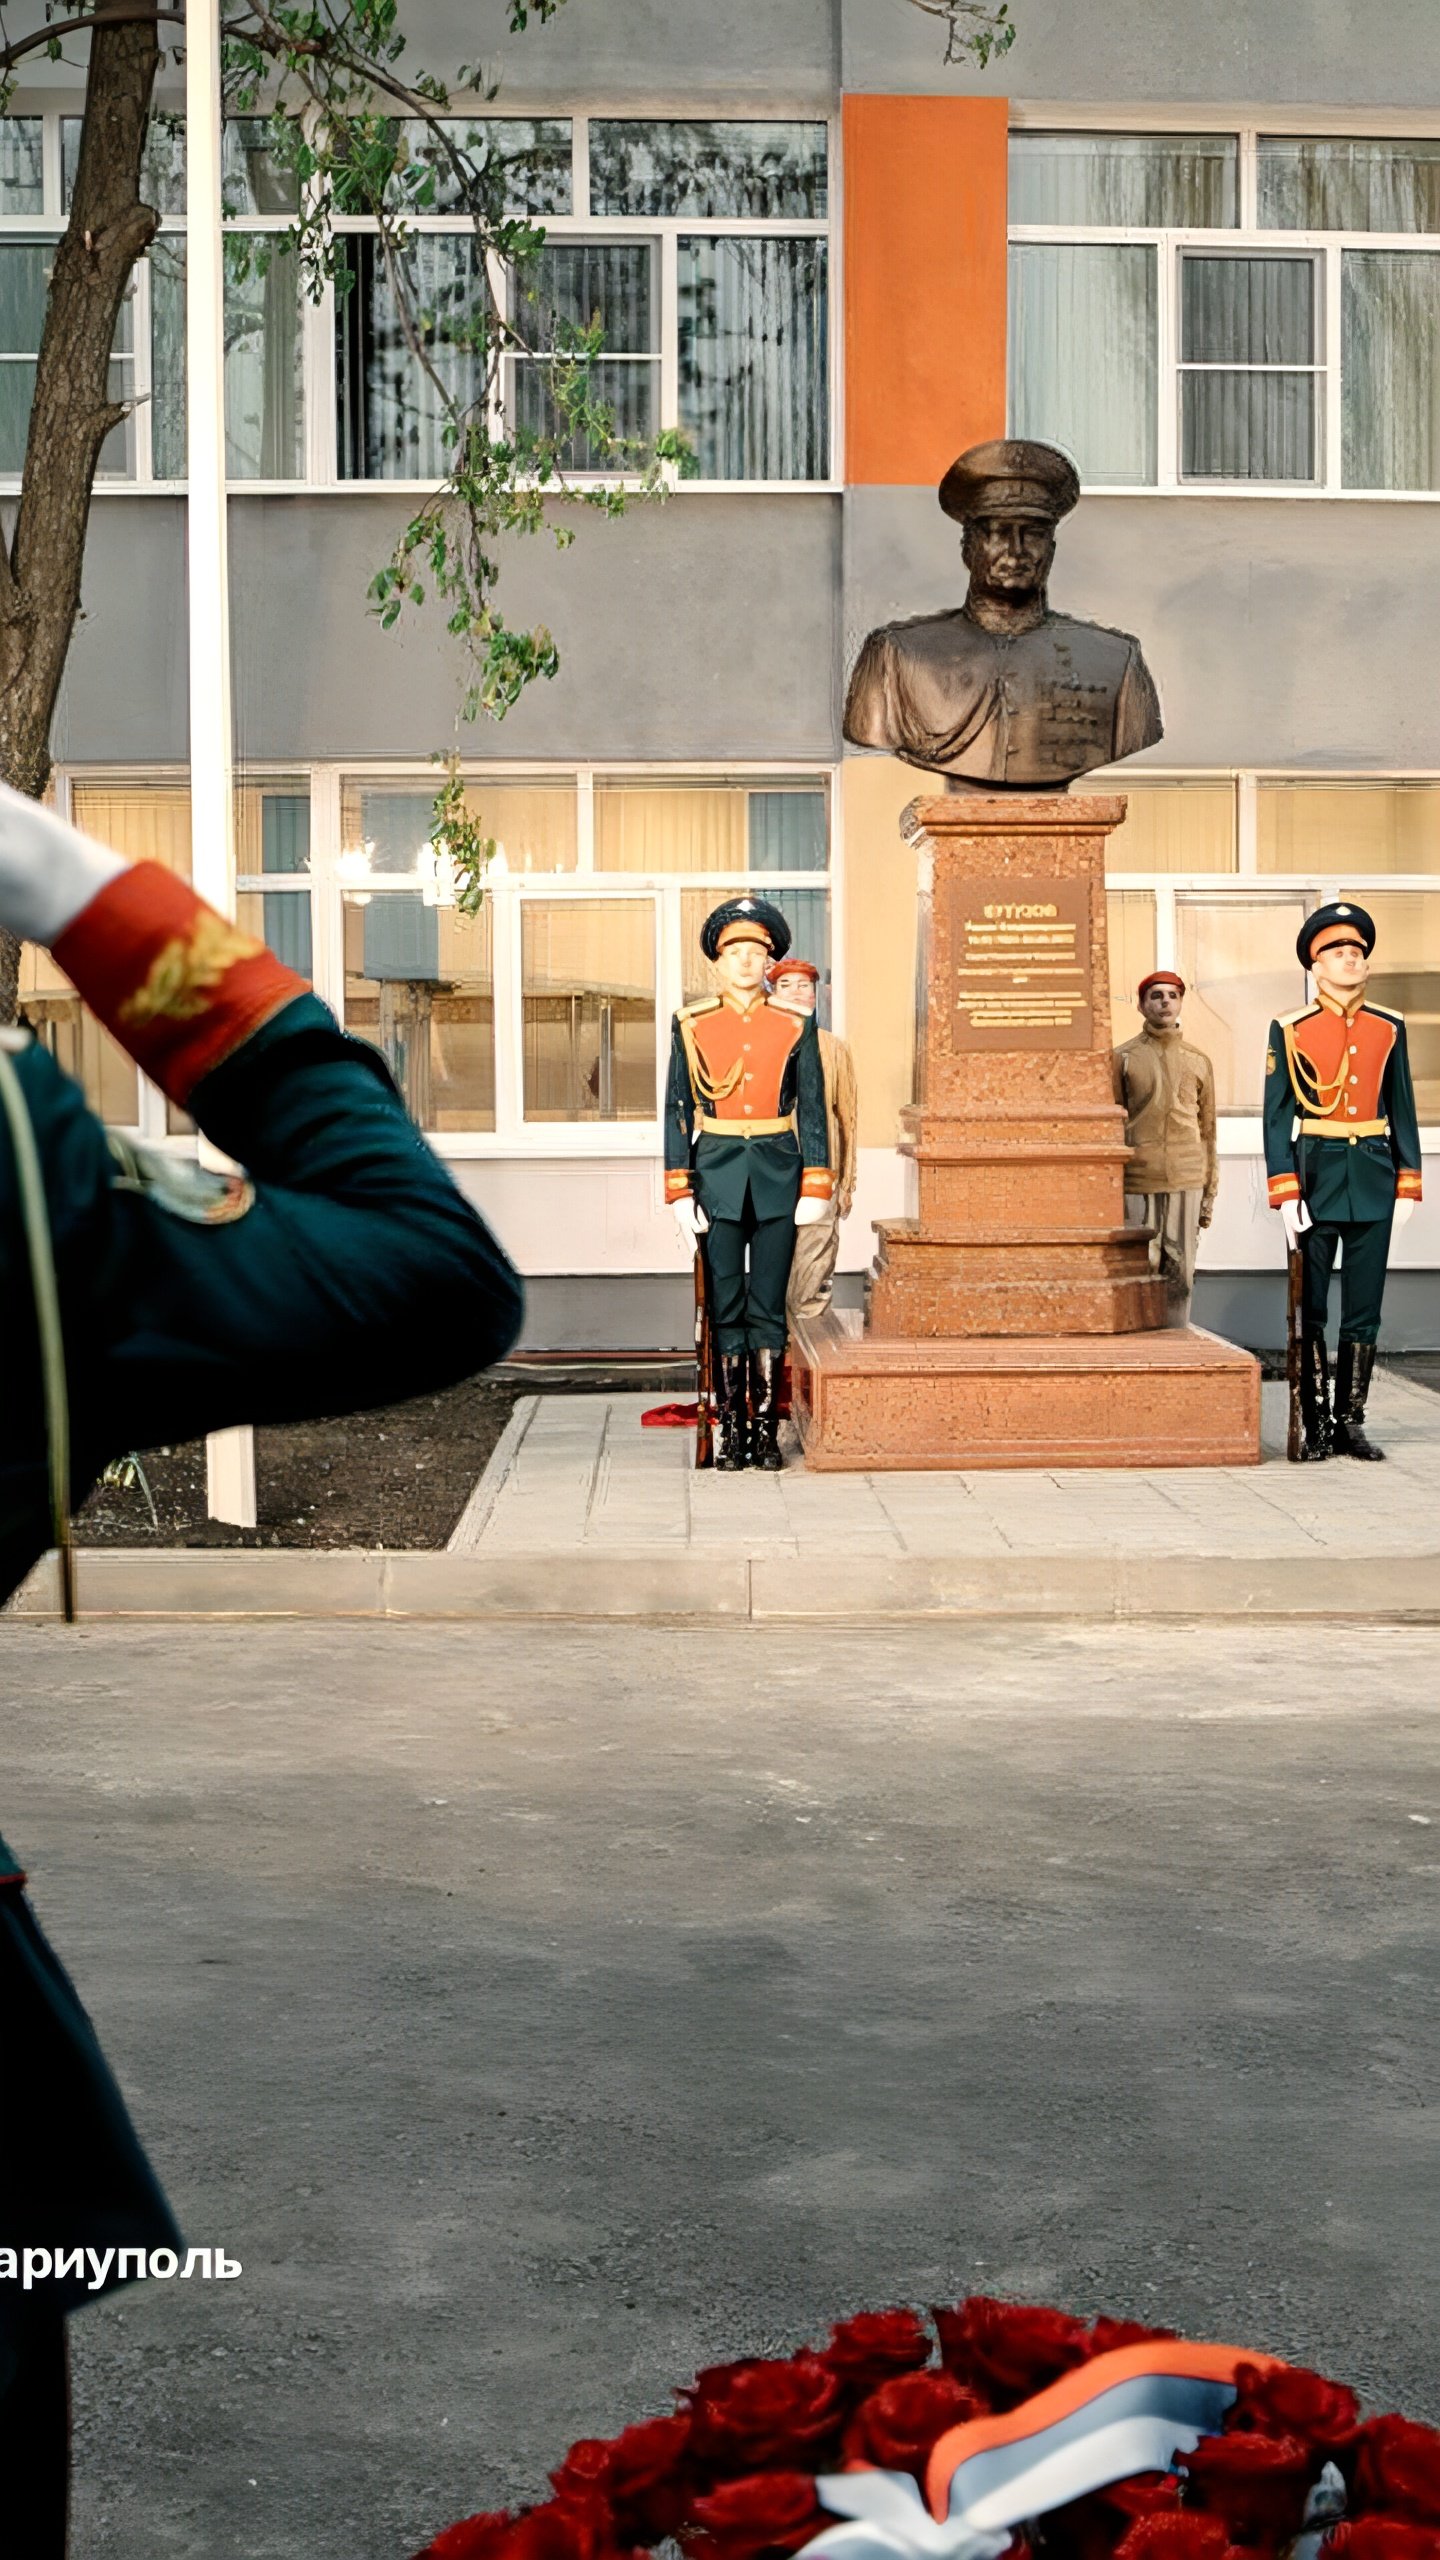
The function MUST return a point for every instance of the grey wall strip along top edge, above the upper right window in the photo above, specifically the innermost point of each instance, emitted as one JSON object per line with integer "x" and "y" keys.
{"x": 1131, "y": 52}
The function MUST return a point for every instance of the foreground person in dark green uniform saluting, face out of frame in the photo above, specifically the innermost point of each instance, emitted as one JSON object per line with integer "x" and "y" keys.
{"x": 150, "y": 1302}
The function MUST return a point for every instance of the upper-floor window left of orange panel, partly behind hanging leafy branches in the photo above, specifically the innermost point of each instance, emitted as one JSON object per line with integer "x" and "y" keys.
{"x": 698, "y": 247}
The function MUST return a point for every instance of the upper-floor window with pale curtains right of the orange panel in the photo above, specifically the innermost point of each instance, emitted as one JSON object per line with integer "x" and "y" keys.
{"x": 1229, "y": 311}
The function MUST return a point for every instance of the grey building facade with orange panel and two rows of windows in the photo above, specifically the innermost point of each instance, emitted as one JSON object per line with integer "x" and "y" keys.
{"x": 1195, "y": 250}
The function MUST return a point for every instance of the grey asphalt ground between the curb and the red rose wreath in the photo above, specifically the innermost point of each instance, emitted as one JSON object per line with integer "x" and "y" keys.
{"x": 547, "y": 2011}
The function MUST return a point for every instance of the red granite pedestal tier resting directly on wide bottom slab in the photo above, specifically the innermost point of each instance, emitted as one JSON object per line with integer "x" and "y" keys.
{"x": 1047, "y": 1281}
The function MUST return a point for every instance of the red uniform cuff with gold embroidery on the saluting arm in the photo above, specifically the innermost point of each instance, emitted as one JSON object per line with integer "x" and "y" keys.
{"x": 170, "y": 979}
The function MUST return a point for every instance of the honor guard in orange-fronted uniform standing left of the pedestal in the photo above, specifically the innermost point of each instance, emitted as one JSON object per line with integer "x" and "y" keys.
{"x": 747, "y": 1161}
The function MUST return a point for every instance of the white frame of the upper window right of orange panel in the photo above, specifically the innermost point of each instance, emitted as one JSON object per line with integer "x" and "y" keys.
{"x": 1239, "y": 239}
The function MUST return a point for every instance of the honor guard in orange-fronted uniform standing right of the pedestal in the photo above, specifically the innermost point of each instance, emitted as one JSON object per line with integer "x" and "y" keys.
{"x": 1344, "y": 1164}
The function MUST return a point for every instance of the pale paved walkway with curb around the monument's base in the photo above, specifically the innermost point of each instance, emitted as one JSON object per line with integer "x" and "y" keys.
{"x": 588, "y": 1514}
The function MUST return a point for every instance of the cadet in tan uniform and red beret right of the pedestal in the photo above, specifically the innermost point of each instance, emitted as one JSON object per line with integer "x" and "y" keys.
{"x": 1167, "y": 1092}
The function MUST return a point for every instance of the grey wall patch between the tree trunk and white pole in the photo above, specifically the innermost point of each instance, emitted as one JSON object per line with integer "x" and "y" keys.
{"x": 127, "y": 682}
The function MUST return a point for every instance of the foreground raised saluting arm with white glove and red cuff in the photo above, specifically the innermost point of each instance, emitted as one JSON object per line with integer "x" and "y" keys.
{"x": 355, "y": 1276}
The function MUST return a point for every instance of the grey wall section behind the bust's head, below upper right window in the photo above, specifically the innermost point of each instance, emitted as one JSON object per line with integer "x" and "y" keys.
{"x": 1282, "y": 634}
